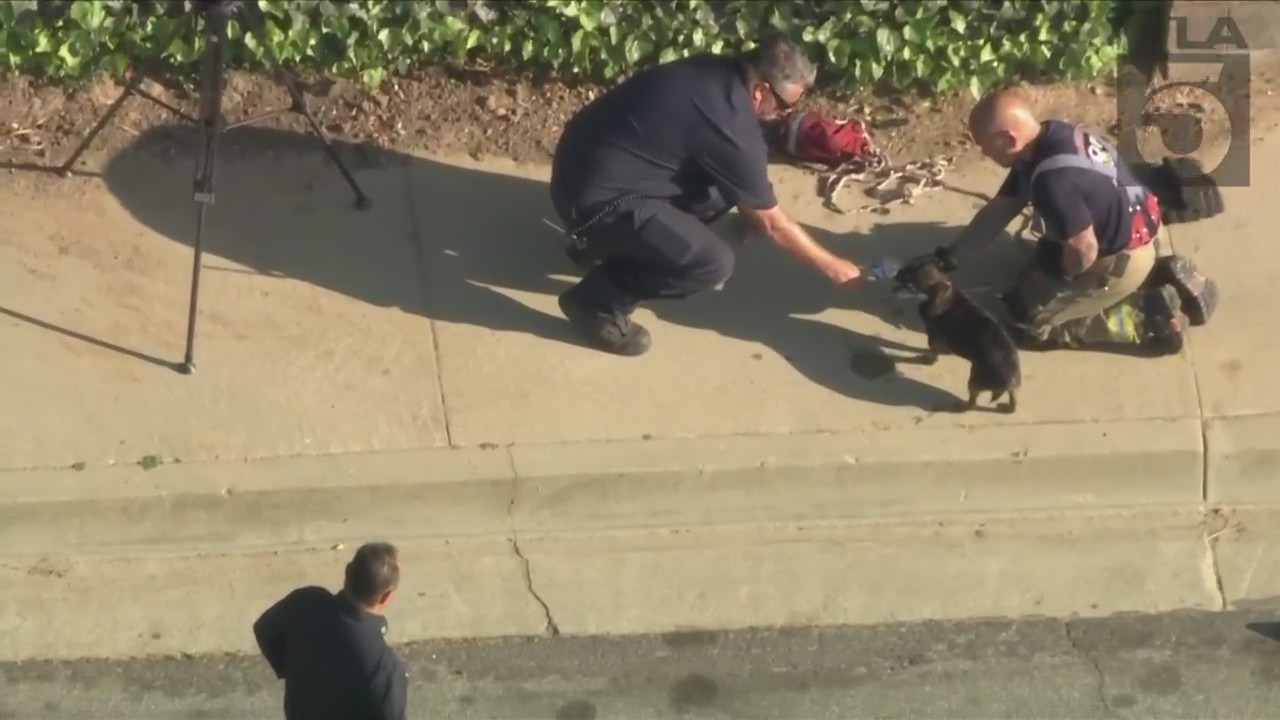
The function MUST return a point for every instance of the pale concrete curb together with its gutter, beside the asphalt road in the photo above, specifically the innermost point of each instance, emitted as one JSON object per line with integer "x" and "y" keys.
{"x": 711, "y": 534}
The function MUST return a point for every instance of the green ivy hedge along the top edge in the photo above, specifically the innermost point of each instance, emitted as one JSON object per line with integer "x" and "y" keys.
{"x": 941, "y": 45}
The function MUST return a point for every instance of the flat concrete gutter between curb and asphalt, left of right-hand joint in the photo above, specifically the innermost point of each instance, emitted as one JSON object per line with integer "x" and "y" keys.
{"x": 636, "y": 582}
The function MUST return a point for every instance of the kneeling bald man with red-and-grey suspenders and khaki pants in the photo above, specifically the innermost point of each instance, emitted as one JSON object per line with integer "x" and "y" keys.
{"x": 1098, "y": 279}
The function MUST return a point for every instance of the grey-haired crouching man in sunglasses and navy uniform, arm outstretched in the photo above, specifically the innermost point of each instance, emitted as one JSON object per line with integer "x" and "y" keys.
{"x": 642, "y": 172}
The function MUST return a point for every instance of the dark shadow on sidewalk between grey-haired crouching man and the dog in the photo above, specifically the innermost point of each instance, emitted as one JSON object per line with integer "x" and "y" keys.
{"x": 783, "y": 306}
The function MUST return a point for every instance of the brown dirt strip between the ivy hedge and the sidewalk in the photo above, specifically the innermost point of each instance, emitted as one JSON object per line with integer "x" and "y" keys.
{"x": 449, "y": 116}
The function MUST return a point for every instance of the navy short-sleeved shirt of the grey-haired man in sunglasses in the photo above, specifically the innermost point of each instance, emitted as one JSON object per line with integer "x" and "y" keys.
{"x": 671, "y": 131}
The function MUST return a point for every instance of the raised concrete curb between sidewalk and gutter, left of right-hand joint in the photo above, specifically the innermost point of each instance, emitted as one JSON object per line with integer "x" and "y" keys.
{"x": 602, "y": 486}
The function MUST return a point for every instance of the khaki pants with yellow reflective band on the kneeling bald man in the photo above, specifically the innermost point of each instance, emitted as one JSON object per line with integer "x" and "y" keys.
{"x": 1096, "y": 307}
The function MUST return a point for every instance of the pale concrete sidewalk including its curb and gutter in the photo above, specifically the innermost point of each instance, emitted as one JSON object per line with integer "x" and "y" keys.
{"x": 404, "y": 373}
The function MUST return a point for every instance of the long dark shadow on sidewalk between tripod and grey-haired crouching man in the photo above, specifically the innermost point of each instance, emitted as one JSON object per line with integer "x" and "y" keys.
{"x": 285, "y": 212}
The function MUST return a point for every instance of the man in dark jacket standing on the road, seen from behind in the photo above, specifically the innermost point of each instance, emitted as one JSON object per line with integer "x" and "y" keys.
{"x": 331, "y": 649}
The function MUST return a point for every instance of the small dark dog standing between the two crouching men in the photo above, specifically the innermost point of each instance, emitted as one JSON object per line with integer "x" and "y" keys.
{"x": 957, "y": 325}
